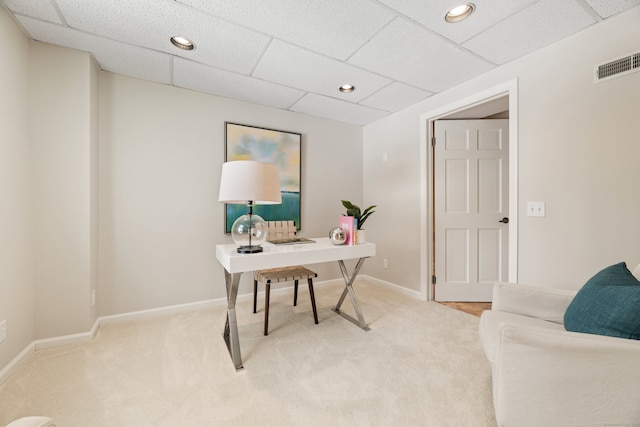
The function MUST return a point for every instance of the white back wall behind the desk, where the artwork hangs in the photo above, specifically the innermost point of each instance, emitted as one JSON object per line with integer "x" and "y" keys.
{"x": 161, "y": 152}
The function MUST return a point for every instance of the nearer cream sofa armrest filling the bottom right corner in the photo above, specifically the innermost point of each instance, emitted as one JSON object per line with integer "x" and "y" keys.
{"x": 553, "y": 377}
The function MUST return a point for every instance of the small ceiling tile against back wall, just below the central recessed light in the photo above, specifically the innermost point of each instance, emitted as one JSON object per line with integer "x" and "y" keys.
{"x": 335, "y": 109}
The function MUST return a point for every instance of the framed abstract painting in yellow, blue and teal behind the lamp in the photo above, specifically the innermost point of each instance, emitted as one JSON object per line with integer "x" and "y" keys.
{"x": 283, "y": 149}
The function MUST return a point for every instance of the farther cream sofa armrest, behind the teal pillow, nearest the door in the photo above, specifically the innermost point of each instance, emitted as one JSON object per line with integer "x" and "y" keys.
{"x": 532, "y": 301}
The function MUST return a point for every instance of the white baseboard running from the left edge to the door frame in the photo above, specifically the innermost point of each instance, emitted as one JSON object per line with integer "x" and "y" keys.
{"x": 6, "y": 372}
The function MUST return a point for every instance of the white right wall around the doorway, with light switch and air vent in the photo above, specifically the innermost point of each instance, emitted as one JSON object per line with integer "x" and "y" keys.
{"x": 578, "y": 152}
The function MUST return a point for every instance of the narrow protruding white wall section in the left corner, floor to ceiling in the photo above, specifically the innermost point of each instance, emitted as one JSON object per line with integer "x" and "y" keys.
{"x": 64, "y": 182}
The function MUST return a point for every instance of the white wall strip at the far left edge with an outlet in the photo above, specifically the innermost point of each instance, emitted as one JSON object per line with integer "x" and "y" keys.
{"x": 16, "y": 261}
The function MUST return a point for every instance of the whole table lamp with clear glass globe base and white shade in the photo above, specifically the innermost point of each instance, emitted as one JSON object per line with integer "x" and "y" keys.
{"x": 253, "y": 183}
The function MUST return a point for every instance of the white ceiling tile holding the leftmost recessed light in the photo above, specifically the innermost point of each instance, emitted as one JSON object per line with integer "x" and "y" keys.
{"x": 151, "y": 23}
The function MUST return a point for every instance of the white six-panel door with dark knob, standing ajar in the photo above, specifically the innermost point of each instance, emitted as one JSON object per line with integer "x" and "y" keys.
{"x": 471, "y": 191}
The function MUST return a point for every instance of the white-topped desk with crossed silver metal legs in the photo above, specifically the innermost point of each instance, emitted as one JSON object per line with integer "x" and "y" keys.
{"x": 275, "y": 256}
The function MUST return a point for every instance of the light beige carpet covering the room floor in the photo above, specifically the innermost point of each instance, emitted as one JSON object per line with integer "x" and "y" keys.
{"x": 420, "y": 365}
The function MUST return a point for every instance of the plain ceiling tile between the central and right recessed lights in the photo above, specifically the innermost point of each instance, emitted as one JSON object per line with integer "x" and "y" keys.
{"x": 408, "y": 53}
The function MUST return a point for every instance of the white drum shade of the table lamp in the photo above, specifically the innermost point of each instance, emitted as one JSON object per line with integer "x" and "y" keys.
{"x": 248, "y": 180}
